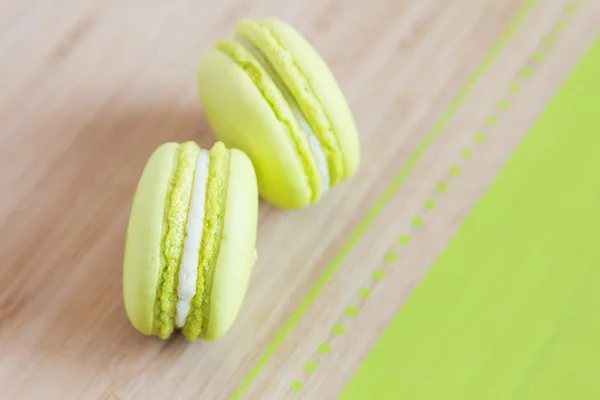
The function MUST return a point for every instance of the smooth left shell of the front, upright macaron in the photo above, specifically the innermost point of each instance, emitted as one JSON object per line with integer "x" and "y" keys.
{"x": 142, "y": 258}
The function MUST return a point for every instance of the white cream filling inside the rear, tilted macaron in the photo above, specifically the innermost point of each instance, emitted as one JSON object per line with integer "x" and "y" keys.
{"x": 313, "y": 141}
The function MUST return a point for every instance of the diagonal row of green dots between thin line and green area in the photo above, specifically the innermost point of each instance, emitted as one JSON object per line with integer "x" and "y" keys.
{"x": 455, "y": 171}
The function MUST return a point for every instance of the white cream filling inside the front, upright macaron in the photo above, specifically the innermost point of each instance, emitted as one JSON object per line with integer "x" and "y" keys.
{"x": 188, "y": 270}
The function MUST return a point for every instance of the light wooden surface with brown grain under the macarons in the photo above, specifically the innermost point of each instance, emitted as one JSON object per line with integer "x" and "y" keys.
{"x": 90, "y": 88}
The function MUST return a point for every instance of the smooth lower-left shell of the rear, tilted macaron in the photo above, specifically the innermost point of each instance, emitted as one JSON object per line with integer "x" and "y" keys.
{"x": 242, "y": 119}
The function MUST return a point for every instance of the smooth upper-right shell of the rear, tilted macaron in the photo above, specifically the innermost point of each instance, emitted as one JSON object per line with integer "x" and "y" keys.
{"x": 325, "y": 87}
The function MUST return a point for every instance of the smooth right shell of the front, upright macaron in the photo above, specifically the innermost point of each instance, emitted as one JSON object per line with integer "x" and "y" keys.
{"x": 237, "y": 253}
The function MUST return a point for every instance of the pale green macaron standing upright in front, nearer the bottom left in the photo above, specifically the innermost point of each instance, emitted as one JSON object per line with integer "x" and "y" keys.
{"x": 190, "y": 244}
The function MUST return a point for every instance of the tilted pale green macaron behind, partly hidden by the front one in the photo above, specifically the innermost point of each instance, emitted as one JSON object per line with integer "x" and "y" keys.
{"x": 268, "y": 93}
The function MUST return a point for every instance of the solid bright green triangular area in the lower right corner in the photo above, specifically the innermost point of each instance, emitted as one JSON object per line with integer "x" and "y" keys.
{"x": 511, "y": 309}
